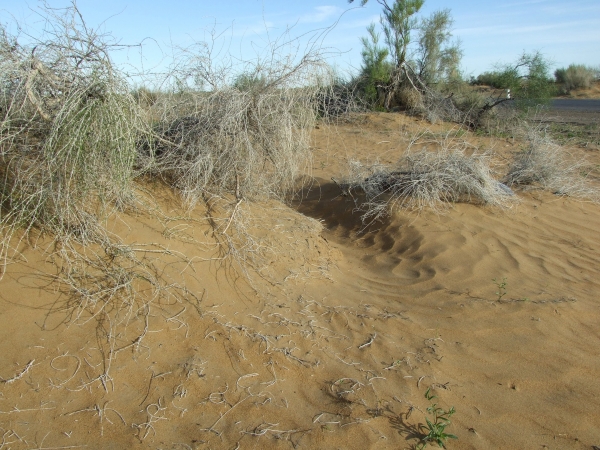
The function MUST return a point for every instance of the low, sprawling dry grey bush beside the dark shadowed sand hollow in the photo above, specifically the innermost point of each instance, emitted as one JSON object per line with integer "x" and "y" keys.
{"x": 427, "y": 179}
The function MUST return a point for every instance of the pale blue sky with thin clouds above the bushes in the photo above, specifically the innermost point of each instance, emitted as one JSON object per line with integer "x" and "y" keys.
{"x": 490, "y": 31}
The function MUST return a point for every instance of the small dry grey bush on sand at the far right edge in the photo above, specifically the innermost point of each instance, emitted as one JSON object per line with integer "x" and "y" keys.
{"x": 545, "y": 164}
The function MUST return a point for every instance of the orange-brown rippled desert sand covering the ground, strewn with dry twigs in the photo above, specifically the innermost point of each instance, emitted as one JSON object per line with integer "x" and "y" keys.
{"x": 335, "y": 338}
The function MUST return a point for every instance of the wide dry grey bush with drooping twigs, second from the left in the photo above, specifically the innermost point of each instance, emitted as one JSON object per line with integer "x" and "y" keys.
{"x": 236, "y": 142}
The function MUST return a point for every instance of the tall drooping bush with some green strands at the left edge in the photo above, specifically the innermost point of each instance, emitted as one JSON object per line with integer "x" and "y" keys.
{"x": 68, "y": 133}
